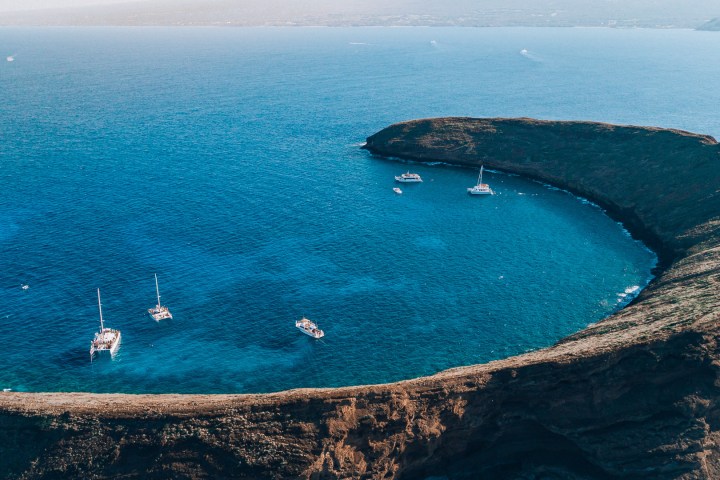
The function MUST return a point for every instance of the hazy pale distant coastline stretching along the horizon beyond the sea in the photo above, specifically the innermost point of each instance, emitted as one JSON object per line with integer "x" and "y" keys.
{"x": 468, "y": 13}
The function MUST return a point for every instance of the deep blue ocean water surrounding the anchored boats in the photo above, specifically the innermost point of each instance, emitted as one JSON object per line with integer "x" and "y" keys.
{"x": 228, "y": 162}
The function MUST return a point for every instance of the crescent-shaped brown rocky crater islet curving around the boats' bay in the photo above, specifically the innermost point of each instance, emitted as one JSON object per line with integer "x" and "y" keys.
{"x": 634, "y": 396}
